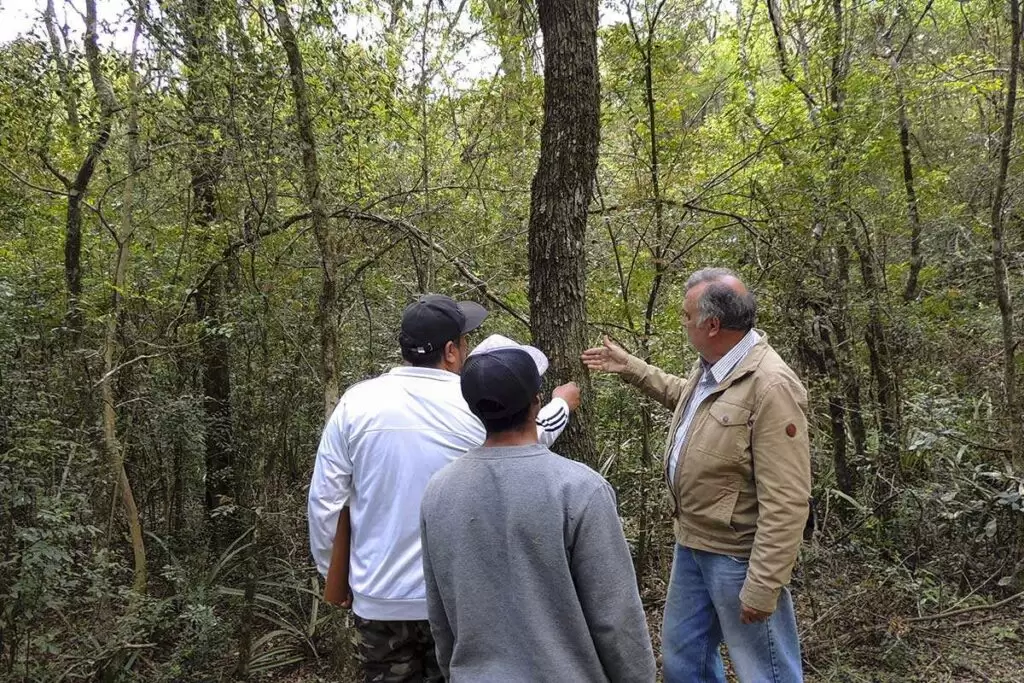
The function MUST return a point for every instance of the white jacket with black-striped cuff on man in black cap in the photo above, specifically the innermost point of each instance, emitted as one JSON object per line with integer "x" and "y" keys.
{"x": 386, "y": 440}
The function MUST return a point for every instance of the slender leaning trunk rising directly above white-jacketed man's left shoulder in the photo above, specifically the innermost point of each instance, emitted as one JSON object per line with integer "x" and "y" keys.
{"x": 328, "y": 243}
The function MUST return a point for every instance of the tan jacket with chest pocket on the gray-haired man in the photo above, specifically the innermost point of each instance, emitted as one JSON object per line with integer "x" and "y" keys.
{"x": 744, "y": 478}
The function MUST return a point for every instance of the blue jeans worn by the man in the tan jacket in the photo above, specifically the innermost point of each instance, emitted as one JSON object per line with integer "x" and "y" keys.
{"x": 703, "y": 609}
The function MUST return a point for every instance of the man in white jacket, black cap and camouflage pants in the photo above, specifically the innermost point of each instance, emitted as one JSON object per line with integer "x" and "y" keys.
{"x": 386, "y": 440}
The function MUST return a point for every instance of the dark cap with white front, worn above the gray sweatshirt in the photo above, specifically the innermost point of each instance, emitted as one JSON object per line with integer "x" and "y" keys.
{"x": 501, "y": 378}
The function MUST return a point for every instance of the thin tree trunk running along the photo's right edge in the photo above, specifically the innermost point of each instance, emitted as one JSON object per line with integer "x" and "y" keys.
{"x": 1001, "y": 277}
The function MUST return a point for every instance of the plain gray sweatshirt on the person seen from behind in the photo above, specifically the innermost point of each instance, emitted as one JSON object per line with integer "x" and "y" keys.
{"x": 529, "y": 576}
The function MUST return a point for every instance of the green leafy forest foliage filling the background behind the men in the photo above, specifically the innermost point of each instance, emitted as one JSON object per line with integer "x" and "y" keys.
{"x": 434, "y": 122}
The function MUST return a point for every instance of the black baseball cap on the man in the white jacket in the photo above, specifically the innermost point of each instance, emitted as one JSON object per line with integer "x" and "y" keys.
{"x": 435, "y": 320}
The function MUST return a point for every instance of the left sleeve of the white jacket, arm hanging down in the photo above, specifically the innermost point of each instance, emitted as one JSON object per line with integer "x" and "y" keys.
{"x": 330, "y": 489}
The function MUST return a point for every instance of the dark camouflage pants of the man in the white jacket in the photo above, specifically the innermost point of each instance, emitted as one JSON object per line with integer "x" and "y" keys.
{"x": 397, "y": 652}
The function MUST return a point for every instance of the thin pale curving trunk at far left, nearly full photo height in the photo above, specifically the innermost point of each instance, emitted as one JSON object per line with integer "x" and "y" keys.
{"x": 112, "y": 444}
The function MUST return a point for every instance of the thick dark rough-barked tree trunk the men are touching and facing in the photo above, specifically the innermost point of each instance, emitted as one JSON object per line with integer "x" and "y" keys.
{"x": 561, "y": 197}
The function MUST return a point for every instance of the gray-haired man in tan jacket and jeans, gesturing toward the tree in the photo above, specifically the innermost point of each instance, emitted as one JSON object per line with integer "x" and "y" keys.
{"x": 738, "y": 464}
